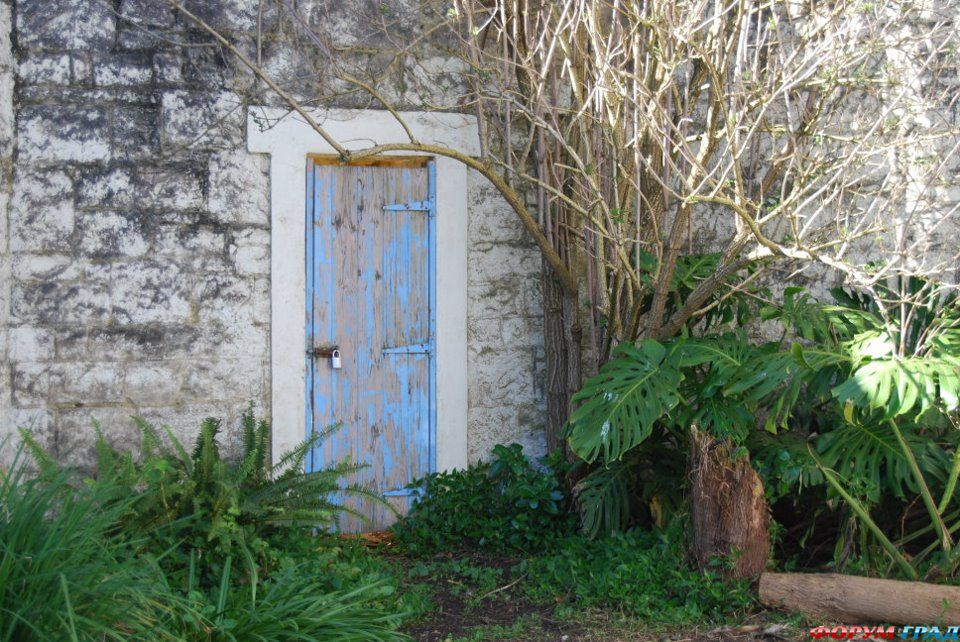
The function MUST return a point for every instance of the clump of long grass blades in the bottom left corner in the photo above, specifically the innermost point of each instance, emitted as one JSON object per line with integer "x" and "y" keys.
{"x": 65, "y": 572}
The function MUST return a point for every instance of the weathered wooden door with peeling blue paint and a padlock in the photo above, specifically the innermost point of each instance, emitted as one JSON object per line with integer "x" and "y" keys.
{"x": 370, "y": 276}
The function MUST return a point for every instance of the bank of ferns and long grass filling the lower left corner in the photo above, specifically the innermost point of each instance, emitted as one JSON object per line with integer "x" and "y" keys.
{"x": 186, "y": 546}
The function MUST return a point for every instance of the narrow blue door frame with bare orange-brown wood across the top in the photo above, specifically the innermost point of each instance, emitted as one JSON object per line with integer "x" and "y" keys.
{"x": 427, "y": 163}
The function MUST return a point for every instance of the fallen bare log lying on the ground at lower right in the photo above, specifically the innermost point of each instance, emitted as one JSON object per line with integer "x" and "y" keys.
{"x": 849, "y": 599}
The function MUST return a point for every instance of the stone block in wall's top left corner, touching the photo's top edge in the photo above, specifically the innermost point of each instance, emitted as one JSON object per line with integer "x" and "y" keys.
{"x": 71, "y": 24}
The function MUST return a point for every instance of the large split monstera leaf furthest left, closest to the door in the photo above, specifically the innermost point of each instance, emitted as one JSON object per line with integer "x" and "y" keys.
{"x": 619, "y": 406}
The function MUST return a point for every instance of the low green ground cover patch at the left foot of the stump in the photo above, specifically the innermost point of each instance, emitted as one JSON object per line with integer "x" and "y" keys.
{"x": 642, "y": 573}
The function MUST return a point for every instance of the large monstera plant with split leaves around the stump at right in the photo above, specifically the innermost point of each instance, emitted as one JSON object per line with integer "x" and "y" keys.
{"x": 886, "y": 364}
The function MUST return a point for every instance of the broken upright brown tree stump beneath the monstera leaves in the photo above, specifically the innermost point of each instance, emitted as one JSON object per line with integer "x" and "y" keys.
{"x": 728, "y": 510}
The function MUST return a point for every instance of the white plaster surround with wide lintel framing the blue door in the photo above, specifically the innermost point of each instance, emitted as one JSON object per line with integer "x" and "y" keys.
{"x": 288, "y": 139}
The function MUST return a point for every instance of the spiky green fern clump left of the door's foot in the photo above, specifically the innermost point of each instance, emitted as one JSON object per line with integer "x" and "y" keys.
{"x": 201, "y": 503}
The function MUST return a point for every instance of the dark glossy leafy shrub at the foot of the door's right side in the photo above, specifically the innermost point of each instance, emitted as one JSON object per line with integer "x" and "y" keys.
{"x": 508, "y": 503}
